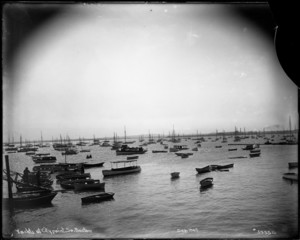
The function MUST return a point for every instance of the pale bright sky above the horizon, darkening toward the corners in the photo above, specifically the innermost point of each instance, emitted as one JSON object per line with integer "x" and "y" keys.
{"x": 97, "y": 68}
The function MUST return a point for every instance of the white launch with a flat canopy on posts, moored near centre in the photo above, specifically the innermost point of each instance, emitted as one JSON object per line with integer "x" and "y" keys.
{"x": 123, "y": 170}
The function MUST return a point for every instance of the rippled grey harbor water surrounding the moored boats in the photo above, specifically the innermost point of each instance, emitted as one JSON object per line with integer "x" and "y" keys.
{"x": 251, "y": 200}
